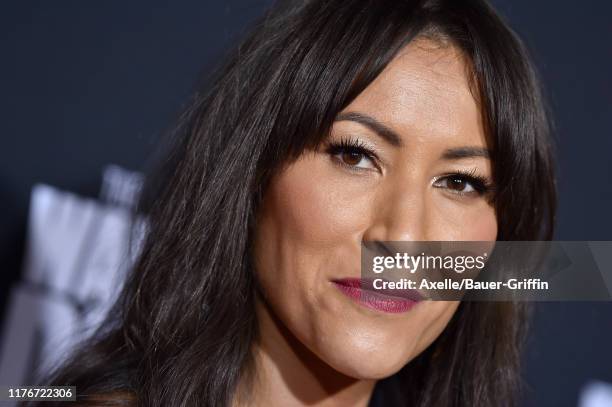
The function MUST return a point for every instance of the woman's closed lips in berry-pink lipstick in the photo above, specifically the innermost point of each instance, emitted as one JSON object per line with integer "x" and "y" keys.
{"x": 363, "y": 292}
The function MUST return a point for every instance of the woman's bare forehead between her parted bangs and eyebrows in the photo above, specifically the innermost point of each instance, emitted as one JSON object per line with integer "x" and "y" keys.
{"x": 424, "y": 94}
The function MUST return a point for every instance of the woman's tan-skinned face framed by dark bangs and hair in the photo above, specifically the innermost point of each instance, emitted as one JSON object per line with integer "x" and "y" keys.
{"x": 387, "y": 172}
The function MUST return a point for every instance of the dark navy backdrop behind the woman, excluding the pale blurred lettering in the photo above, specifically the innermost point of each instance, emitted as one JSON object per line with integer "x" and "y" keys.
{"x": 86, "y": 83}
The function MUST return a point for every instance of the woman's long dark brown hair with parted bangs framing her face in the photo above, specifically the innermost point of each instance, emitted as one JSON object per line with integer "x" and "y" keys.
{"x": 182, "y": 330}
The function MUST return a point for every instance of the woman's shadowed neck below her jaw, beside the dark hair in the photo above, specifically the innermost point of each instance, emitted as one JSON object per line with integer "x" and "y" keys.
{"x": 286, "y": 373}
